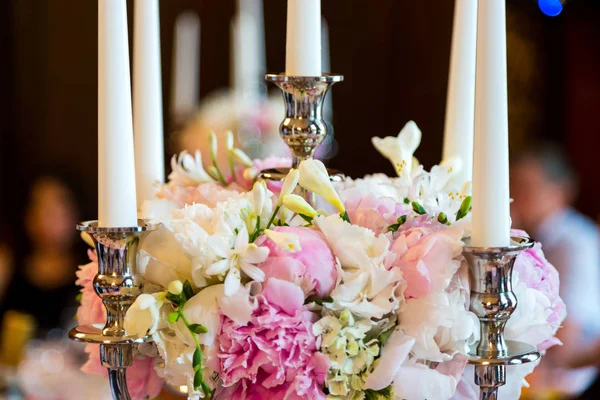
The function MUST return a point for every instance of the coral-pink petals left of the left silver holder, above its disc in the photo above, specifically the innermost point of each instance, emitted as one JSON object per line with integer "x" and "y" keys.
{"x": 91, "y": 310}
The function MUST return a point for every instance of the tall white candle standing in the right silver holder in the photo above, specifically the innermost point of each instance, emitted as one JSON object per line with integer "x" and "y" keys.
{"x": 491, "y": 218}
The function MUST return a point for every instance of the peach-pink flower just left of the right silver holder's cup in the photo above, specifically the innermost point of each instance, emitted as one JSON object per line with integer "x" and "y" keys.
{"x": 427, "y": 258}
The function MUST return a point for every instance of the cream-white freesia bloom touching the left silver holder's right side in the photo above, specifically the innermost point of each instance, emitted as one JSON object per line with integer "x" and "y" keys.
{"x": 143, "y": 316}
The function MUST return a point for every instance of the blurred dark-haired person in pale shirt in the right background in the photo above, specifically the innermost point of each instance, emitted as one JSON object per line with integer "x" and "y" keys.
{"x": 543, "y": 187}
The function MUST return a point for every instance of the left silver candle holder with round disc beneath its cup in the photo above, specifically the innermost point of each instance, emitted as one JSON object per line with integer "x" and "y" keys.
{"x": 118, "y": 285}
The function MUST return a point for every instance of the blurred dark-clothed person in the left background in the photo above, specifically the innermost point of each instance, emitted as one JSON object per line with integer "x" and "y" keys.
{"x": 46, "y": 258}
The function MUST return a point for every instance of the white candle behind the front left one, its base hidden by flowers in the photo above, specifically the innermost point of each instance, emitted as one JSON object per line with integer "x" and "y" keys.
{"x": 147, "y": 100}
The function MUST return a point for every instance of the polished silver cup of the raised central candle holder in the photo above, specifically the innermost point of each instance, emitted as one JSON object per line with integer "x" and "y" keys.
{"x": 303, "y": 127}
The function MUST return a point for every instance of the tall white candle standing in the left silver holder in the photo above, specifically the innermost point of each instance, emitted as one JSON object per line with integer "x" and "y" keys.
{"x": 116, "y": 171}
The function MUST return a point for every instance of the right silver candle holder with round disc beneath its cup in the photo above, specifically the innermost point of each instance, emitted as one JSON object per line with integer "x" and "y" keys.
{"x": 493, "y": 301}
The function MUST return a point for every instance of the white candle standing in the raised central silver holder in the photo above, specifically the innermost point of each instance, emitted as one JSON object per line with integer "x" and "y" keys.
{"x": 303, "y": 41}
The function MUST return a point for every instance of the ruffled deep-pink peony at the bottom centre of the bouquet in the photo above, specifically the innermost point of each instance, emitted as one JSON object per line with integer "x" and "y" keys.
{"x": 276, "y": 354}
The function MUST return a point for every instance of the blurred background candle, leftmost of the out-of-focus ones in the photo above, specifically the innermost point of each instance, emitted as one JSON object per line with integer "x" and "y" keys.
{"x": 186, "y": 66}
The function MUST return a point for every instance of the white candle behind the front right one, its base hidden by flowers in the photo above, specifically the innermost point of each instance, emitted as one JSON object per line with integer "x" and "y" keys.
{"x": 460, "y": 104}
